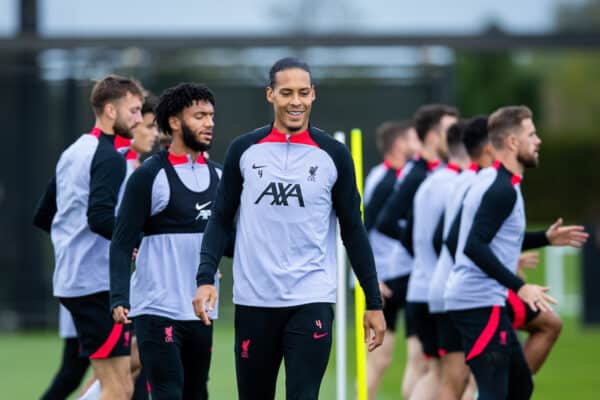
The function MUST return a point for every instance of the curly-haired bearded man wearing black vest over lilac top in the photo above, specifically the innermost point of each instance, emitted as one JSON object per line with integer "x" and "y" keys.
{"x": 168, "y": 199}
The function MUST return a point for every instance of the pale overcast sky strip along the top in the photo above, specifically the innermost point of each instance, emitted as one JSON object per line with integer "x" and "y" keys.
{"x": 160, "y": 17}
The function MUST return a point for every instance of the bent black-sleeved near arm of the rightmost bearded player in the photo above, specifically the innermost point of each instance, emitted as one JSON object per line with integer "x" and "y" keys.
{"x": 496, "y": 205}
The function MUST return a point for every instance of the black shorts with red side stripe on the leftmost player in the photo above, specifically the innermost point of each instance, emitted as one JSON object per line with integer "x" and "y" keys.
{"x": 100, "y": 337}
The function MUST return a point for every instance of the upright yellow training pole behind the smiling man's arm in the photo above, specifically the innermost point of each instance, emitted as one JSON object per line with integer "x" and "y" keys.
{"x": 359, "y": 295}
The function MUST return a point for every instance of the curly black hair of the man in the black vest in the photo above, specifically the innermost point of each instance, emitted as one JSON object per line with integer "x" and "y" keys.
{"x": 174, "y": 99}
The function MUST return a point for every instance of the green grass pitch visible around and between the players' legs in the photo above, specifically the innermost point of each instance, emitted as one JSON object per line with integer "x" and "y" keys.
{"x": 29, "y": 361}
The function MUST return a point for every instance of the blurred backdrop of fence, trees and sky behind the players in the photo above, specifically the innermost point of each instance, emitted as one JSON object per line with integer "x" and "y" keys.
{"x": 372, "y": 61}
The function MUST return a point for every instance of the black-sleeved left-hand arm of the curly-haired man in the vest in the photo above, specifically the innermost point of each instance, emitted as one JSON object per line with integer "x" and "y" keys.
{"x": 133, "y": 213}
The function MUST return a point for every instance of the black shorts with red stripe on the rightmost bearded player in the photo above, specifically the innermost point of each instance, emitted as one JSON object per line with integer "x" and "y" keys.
{"x": 485, "y": 330}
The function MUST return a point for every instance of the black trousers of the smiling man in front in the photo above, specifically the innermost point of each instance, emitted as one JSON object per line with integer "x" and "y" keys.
{"x": 300, "y": 335}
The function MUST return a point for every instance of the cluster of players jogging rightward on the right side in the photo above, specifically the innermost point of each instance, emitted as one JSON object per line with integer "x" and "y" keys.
{"x": 446, "y": 223}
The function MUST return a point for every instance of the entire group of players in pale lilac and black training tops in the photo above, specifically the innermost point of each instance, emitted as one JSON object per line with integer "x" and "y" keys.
{"x": 141, "y": 242}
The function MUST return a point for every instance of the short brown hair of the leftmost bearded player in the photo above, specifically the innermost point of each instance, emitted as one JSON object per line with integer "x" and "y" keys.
{"x": 111, "y": 88}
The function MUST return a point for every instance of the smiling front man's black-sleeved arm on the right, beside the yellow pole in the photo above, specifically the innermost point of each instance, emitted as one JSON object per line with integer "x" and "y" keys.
{"x": 346, "y": 203}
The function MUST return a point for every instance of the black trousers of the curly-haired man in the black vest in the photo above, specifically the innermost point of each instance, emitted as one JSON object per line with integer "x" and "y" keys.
{"x": 175, "y": 356}
